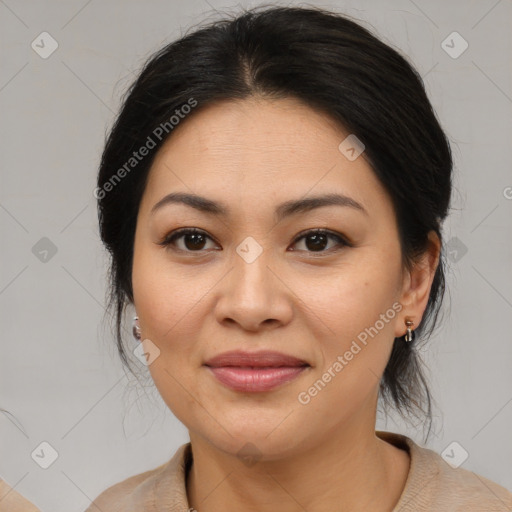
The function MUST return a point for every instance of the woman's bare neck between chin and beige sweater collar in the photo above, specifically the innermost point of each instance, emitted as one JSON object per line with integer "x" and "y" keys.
{"x": 355, "y": 471}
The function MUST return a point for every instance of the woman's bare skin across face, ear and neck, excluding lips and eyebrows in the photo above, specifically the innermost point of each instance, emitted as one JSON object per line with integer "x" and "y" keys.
{"x": 253, "y": 155}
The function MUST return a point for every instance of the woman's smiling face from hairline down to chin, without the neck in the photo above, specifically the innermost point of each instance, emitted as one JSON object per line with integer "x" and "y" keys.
{"x": 257, "y": 281}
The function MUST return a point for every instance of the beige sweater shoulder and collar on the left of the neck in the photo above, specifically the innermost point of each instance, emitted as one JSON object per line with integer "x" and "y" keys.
{"x": 146, "y": 490}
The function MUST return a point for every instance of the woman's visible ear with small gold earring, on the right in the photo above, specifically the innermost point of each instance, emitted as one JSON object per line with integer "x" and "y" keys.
{"x": 416, "y": 285}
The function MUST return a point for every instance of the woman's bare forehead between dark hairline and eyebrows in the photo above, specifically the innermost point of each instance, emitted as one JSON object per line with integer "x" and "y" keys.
{"x": 242, "y": 151}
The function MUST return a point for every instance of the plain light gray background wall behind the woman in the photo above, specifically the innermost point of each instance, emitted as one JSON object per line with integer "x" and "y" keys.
{"x": 60, "y": 376}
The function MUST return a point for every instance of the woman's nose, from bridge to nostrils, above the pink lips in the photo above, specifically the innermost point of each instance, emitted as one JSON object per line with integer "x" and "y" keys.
{"x": 254, "y": 295}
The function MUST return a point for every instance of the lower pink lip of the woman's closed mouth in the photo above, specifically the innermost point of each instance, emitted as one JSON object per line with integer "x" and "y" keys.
{"x": 255, "y": 379}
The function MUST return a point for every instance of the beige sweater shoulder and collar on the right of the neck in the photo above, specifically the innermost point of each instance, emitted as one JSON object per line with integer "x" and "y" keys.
{"x": 433, "y": 484}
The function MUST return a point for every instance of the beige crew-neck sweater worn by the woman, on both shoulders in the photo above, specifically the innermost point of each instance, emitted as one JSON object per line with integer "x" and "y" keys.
{"x": 432, "y": 485}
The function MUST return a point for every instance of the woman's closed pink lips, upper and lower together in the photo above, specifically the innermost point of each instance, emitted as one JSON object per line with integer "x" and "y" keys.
{"x": 256, "y": 371}
